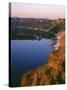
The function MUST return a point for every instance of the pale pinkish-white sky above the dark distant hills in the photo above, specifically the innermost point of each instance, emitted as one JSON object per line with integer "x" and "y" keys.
{"x": 26, "y": 10}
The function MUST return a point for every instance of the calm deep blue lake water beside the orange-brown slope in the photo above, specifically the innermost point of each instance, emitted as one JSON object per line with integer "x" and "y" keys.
{"x": 27, "y": 55}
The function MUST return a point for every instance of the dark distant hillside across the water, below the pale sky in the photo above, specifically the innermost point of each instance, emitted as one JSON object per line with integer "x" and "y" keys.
{"x": 27, "y": 28}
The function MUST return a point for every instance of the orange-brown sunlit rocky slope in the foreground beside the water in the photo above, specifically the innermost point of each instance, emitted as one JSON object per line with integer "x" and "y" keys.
{"x": 48, "y": 74}
